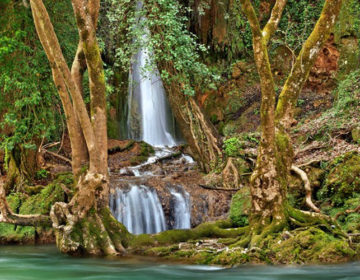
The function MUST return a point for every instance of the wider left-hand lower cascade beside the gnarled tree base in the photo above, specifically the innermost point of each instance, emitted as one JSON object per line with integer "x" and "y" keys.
{"x": 139, "y": 209}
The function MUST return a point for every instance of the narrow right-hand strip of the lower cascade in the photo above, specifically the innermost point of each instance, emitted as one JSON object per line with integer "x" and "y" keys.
{"x": 181, "y": 208}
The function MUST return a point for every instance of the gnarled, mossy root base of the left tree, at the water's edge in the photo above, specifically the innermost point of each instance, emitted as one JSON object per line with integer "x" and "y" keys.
{"x": 84, "y": 227}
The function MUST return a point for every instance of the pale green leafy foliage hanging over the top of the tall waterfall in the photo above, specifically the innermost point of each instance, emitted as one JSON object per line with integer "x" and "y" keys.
{"x": 169, "y": 42}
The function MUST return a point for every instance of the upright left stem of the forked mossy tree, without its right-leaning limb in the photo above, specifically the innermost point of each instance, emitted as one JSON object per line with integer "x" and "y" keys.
{"x": 268, "y": 181}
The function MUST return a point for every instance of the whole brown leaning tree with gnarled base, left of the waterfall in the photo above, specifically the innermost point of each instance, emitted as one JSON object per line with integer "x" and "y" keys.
{"x": 84, "y": 225}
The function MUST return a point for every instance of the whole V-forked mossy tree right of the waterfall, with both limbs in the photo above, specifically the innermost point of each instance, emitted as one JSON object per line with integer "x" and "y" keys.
{"x": 270, "y": 209}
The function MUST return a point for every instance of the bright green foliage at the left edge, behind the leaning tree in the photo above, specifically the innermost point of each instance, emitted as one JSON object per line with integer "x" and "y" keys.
{"x": 29, "y": 106}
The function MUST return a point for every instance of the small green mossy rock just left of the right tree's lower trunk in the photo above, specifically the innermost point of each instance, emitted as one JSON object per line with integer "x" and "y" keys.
{"x": 240, "y": 207}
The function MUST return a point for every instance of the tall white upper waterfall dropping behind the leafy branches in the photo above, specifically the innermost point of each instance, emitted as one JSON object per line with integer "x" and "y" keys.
{"x": 150, "y": 118}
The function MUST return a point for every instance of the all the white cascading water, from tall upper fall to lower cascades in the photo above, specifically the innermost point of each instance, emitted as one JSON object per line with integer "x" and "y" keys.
{"x": 149, "y": 119}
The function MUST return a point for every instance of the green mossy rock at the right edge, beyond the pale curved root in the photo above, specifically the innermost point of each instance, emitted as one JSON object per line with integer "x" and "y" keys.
{"x": 343, "y": 180}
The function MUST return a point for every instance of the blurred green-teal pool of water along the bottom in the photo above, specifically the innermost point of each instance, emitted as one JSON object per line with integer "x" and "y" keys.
{"x": 45, "y": 262}
